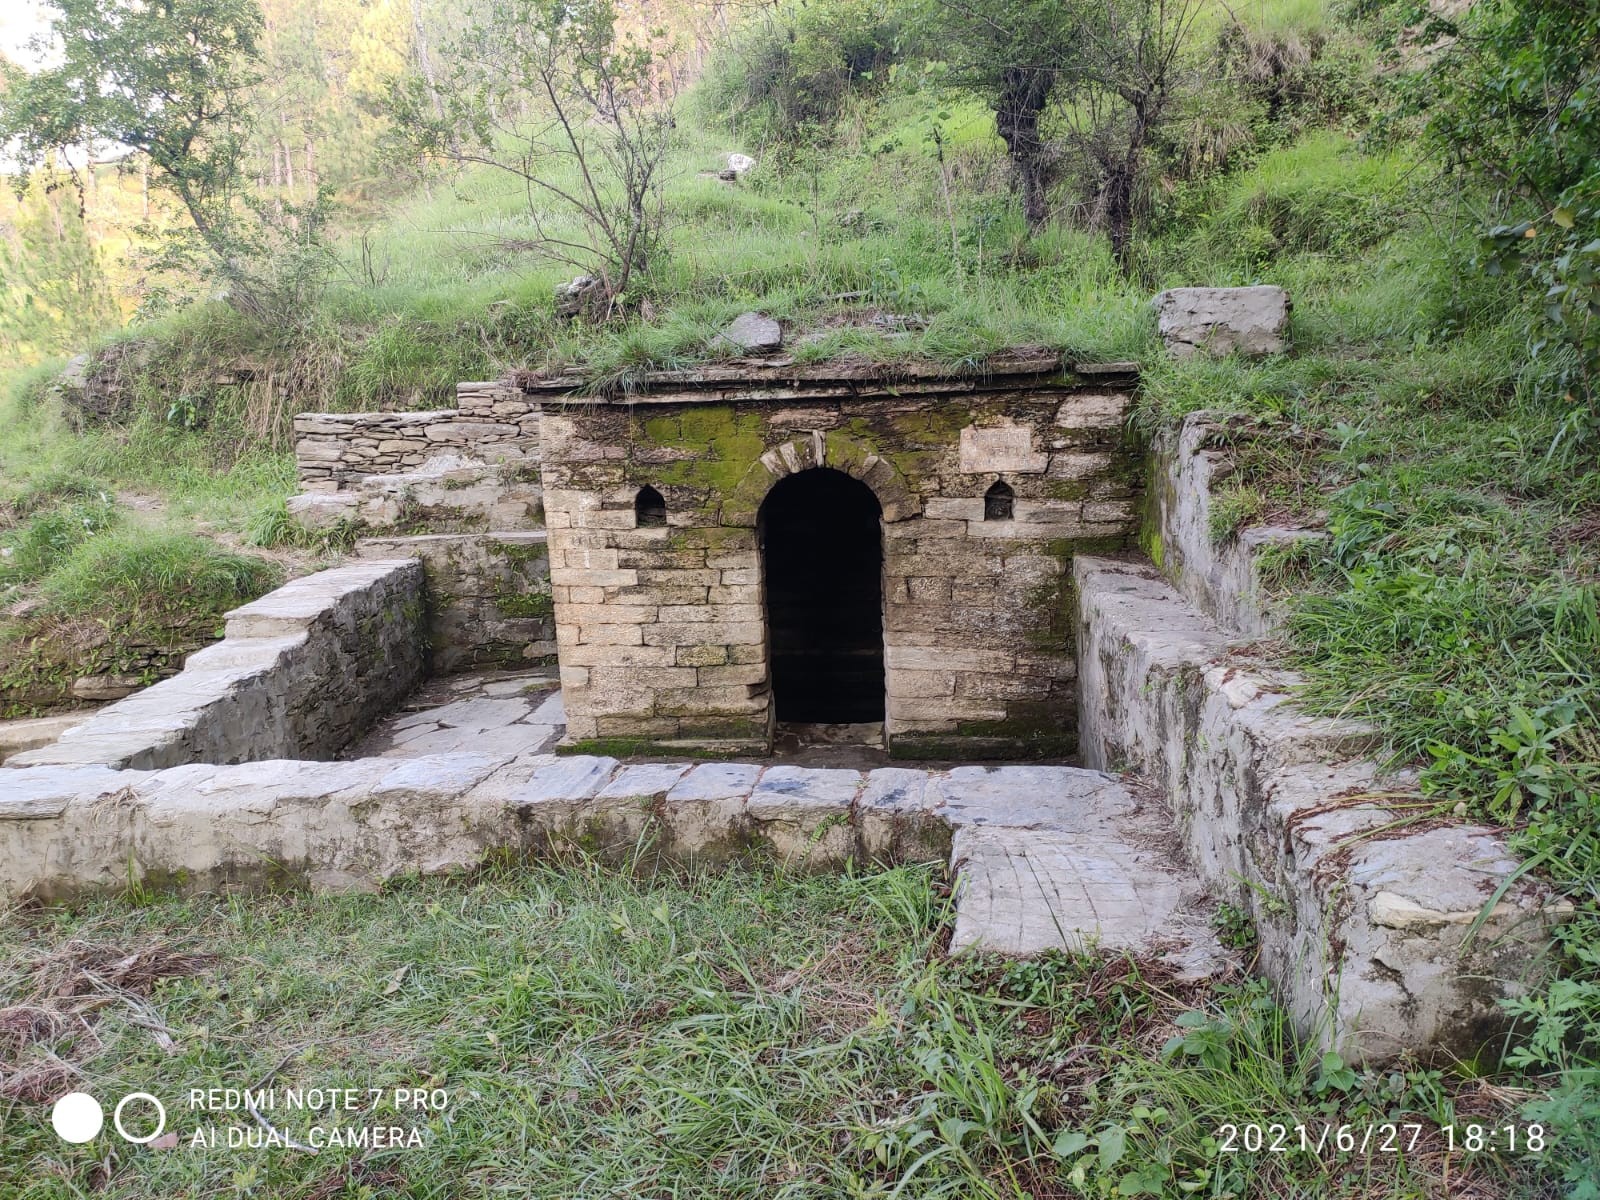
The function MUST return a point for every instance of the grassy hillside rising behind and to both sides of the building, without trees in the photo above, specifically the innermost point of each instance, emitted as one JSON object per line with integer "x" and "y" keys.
{"x": 1454, "y": 604}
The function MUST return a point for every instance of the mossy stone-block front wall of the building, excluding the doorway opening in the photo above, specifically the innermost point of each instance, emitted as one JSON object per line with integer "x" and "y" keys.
{"x": 662, "y": 631}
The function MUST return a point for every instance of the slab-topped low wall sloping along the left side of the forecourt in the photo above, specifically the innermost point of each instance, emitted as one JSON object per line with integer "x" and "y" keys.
{"x": 302, "y": 673}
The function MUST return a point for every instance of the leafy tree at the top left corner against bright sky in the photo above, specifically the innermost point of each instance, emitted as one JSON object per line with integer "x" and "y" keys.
{"x": 169, "y": 81}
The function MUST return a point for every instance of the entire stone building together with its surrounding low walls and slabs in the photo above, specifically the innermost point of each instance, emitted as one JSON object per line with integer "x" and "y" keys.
{"x": 738, "y": 546}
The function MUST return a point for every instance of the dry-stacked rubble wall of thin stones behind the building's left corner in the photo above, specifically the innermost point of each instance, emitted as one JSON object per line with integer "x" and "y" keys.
{"x": 490, "y": 423}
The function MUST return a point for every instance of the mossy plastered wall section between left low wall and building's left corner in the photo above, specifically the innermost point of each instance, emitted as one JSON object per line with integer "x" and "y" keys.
{"x": 489, "y": 596}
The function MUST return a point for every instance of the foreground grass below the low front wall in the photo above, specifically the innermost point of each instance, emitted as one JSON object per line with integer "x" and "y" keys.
{"x": 746, "y": 1034}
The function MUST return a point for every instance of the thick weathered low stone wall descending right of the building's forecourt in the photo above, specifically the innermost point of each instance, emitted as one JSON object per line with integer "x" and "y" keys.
{"x": 1364, "y": 927}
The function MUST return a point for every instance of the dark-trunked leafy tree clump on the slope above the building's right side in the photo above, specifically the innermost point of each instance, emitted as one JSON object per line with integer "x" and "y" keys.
{"x": 1106, "y": 71}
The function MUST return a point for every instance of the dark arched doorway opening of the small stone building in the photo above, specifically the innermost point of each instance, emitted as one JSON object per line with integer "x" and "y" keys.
{"x": 823, "y": 564}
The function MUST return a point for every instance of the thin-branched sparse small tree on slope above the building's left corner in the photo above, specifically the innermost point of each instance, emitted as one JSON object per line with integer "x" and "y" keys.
{"x": 550, "y": 94}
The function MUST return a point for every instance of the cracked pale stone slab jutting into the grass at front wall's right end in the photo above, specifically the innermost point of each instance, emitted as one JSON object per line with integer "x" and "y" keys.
{"x": 1028, "y": 892}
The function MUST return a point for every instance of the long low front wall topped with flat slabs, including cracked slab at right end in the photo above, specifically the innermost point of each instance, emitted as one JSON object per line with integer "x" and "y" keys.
{"x": 354, "y": 825}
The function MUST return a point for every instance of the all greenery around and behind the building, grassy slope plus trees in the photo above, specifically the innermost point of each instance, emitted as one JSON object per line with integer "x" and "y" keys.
{"x": 1425, "y": 185}
